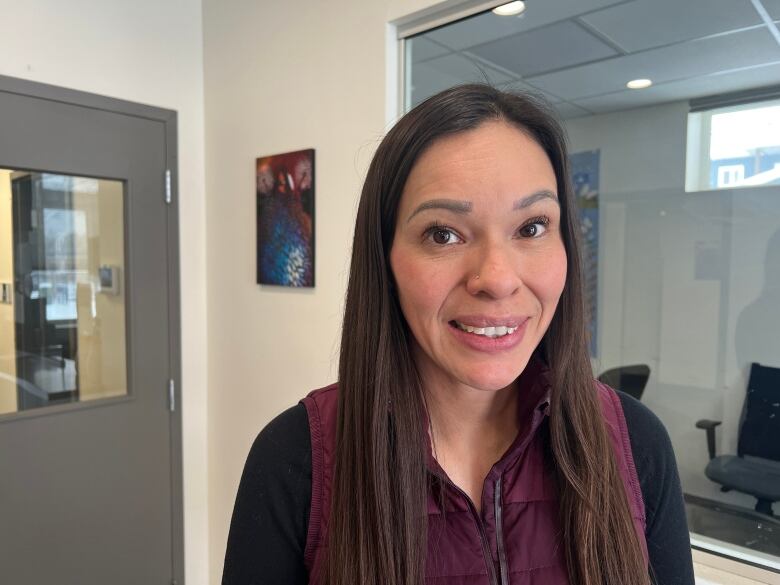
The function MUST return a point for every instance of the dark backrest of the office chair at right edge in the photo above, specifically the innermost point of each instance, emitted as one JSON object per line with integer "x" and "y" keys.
{"x": 759, "y": 434}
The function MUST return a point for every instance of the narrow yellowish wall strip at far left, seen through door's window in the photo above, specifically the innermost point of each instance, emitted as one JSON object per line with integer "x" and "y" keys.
{"x": 7, "y": 344}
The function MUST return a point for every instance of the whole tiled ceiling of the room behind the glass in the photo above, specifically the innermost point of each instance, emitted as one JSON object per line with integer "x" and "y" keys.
{"x": 581, "y": 53}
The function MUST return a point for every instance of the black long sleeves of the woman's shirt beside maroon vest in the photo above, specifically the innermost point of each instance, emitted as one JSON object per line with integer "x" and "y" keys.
{"x": 271, "y": 516}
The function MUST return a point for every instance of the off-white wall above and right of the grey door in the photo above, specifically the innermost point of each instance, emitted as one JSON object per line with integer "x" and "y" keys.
{"x": 151, "y": 52}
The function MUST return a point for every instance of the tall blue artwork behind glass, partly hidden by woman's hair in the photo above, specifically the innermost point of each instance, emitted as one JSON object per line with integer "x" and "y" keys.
{"x": 585, "y": 180}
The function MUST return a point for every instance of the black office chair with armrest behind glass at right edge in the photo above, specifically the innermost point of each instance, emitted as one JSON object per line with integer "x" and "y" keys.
{"x": 752, "y": 470}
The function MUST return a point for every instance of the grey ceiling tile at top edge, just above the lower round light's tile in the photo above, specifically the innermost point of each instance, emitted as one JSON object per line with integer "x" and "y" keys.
{"x": 643, "y": 24}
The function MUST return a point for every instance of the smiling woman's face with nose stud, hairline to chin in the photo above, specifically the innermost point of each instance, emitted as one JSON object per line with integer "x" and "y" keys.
{"x": 477, "y": 255}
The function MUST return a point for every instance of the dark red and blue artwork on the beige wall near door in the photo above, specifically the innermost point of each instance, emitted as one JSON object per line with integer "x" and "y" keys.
{"x": 285, "y": 219}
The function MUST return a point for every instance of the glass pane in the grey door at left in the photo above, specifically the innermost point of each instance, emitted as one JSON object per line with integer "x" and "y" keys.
{"x": 62, "y": 295}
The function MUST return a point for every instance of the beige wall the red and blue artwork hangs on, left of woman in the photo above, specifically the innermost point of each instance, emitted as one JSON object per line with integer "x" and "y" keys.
{"x": 281, "y": 76}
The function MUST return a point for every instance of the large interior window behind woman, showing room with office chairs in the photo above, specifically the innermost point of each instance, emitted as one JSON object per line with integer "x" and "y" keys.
{"x": 683, "y": 262}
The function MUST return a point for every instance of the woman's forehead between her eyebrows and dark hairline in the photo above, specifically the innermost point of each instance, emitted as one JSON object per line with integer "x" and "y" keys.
{"x": 495, "y": 159}
